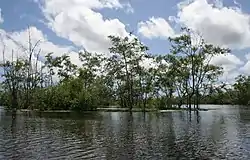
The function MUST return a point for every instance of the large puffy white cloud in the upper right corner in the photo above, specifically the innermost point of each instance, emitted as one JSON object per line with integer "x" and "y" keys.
{"x": 220, "y": 25}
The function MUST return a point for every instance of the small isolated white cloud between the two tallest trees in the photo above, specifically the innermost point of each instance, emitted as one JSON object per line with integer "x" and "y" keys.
{"x": 155, "y": 28}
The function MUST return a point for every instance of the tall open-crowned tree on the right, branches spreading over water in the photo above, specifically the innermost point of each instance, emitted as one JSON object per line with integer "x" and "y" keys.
{"x": 191, "y": 58}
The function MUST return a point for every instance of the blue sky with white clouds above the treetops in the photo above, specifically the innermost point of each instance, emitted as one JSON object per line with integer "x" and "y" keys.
{"x": 67, "y": 26}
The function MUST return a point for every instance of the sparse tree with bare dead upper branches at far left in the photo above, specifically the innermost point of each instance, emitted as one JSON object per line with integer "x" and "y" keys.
{"x": 20, "y": 73}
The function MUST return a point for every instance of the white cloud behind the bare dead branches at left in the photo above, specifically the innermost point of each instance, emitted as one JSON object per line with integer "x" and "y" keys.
{"x": 18, "y": 43}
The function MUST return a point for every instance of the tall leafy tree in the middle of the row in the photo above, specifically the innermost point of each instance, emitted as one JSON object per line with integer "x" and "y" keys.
{"x": 123, "y": 66}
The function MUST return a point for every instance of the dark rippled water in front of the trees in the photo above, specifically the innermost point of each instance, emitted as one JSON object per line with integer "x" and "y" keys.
{"x": 223, "y": 133}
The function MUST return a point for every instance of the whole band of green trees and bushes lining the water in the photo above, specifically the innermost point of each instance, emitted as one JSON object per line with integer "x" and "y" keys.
{"x": 183, "y": 77}
